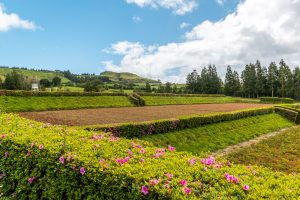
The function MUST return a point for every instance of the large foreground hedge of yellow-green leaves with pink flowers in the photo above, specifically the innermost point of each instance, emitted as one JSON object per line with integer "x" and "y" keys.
{"x": 77, "y": 164}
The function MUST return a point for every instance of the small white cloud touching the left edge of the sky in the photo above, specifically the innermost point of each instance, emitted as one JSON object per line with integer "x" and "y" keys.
{"x": 12, "y": 20}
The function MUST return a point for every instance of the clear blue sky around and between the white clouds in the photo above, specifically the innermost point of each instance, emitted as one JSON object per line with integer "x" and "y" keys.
{"x": 72, "y": 34}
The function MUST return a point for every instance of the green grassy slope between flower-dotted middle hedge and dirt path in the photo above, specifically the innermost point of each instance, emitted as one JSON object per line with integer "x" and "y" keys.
{"x": 218, "y": 136}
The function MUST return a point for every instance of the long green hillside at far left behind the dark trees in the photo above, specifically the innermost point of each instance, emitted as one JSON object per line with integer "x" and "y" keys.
{"x": 32, "y": 74}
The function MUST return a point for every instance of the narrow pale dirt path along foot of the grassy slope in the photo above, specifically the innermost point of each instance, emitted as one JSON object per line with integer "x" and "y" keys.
{"x": 233, "y": 148}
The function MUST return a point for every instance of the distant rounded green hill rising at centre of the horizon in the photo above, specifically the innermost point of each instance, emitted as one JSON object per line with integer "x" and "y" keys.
{"x": 125, "y": 77}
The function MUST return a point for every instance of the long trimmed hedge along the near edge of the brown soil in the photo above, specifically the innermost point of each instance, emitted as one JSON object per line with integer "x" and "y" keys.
{"x": 132, "y": 130}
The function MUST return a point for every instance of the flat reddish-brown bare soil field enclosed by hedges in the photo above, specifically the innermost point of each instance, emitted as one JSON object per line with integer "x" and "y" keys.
{"x": 132, "y": 114}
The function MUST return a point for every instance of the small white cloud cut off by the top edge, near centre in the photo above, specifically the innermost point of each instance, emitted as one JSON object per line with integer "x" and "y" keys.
{"x": 179, "y": 7}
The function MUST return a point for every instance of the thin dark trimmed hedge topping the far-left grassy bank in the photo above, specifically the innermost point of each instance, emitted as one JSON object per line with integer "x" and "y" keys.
{"x": 23, "y": 93}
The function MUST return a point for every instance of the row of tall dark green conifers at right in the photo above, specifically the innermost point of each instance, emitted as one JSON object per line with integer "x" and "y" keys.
{"x": 255, "y": 81}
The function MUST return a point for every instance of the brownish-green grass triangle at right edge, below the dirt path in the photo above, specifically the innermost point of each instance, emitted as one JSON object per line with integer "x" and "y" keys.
{"x": 281, "y": 152}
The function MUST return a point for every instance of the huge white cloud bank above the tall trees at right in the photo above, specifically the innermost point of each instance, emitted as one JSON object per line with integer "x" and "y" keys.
{"x": 258, "y": 29}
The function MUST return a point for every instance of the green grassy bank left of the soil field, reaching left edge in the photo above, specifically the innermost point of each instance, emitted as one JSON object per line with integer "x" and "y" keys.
{"x": 18, "y": 104}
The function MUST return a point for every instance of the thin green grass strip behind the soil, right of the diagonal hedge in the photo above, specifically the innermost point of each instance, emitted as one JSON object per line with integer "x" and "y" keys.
{"x": 171, "y": 100}
